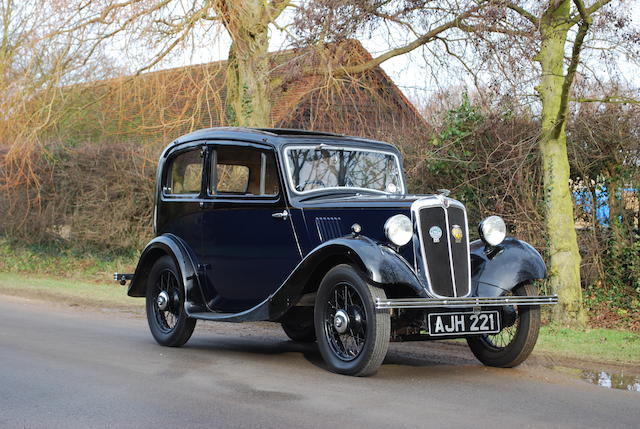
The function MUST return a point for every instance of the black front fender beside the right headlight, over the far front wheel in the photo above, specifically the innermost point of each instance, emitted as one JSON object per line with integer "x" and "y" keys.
{"x": 495, "y": 270}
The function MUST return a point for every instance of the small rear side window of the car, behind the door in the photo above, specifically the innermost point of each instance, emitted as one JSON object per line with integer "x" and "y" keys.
{"x": 184, "y": 175}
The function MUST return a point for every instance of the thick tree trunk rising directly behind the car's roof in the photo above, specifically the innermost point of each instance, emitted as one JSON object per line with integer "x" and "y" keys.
{"x": 248, "y": 101}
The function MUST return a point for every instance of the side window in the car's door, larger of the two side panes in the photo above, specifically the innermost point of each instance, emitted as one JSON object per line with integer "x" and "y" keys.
{"x": 244, "y": 171}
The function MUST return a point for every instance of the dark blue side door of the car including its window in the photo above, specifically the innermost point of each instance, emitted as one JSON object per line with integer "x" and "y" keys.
{"x": 249, "y": 247}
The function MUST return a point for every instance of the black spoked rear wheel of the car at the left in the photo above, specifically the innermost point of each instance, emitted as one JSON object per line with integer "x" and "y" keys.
{"x": 167, "y": 319}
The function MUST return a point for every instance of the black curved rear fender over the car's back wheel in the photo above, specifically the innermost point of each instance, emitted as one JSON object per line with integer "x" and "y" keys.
{"x": 169, "y": 244}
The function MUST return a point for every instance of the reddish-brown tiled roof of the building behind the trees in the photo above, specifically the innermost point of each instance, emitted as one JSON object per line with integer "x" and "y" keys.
{"x": 183, "y": 99}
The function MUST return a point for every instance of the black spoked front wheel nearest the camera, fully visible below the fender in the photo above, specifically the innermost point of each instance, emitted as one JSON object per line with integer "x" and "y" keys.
{"x": 353, "y": 337}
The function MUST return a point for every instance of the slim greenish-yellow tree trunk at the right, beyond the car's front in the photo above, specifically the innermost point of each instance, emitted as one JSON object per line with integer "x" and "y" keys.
{"x": 564, "y": 263}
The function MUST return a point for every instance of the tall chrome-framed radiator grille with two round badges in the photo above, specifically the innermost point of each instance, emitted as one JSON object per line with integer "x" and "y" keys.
{"x": 443, "y": 254}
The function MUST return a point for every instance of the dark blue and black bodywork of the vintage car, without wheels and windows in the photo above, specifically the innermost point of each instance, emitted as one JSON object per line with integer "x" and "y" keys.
{"x": 247, "y": 257}
